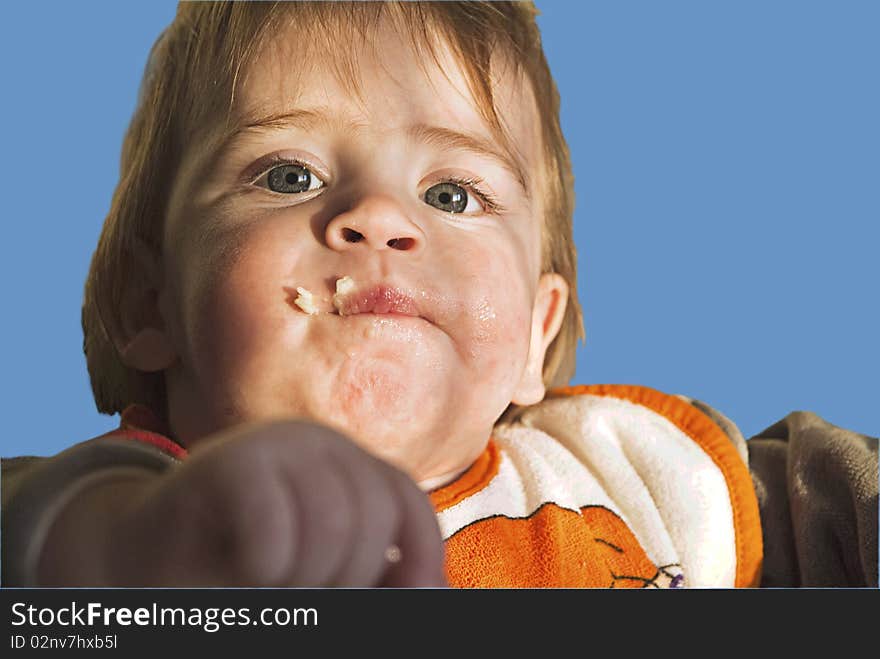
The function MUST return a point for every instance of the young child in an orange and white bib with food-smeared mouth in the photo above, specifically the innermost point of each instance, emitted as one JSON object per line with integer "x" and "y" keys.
{"x": 337, "y": 275}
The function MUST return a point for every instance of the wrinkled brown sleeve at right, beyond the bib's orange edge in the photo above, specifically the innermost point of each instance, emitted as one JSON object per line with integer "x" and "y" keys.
{"x": 817, "y": 491}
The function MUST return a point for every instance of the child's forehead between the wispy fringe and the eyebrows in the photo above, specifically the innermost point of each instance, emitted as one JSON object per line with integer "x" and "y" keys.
{"x": 385, "y": 82}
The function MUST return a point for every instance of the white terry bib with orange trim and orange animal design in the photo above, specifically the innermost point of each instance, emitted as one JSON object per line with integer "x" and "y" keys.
{"x": 604, "y": 486}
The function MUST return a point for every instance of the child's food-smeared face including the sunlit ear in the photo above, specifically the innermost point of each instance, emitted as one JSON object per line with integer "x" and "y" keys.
{"x": 471, "y": 315}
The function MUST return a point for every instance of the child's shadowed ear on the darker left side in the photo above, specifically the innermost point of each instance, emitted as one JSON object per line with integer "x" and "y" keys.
{"x": 141, "y": 338}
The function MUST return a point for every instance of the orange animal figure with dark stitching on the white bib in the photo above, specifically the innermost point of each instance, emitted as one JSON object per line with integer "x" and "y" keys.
{"x": 554, "y": 547}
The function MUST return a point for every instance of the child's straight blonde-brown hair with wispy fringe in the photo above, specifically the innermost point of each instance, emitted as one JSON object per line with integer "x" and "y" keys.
{"x": 190, "y": 81}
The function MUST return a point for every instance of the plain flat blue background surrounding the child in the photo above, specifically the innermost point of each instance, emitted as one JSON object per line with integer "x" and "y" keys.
{"x": 727, "y": 169}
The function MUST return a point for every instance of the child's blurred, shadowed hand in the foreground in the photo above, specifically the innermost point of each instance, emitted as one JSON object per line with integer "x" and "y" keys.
{"x": 280, "y": 504}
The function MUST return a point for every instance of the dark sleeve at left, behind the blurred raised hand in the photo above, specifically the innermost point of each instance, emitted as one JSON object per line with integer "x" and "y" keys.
{"x": 33, "y": 489}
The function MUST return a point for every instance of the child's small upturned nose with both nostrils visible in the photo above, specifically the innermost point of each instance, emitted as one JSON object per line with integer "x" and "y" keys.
{"x": 377, "y": 222}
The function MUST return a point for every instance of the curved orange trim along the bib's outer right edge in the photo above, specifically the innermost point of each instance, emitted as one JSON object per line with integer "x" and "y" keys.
{"x": 716, "y": 444}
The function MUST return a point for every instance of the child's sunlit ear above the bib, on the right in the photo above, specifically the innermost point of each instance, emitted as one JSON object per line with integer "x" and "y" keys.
{"x": 547, "y": 314}
